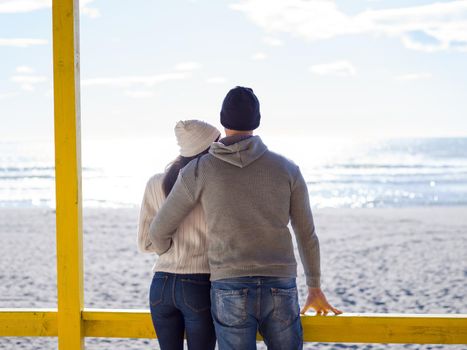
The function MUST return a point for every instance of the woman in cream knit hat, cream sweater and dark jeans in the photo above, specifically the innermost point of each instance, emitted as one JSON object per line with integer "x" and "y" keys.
{"x": 179, "y": 292}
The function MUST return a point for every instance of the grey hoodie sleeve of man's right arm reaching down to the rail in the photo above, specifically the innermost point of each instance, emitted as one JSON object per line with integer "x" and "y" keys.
{"x": 301, "y": 219}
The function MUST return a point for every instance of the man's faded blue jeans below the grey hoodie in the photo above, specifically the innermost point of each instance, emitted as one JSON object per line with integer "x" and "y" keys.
{"x": 242, "y": 306}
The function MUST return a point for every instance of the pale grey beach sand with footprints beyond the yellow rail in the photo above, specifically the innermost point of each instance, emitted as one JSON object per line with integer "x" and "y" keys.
{"x": 373, "y": 260}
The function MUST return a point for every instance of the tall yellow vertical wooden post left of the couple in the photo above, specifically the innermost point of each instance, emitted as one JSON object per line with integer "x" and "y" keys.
{"x": 68, "y": 174}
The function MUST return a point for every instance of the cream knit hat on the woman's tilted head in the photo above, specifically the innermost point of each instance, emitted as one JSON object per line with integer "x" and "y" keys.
{"x": 194, "y": 136}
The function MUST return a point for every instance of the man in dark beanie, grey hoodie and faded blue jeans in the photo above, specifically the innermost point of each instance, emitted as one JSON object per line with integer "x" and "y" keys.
{"x": 249, "y": 194}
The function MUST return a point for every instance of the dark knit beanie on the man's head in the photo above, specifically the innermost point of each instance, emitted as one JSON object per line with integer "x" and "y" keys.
{"x": 240, "y": 110}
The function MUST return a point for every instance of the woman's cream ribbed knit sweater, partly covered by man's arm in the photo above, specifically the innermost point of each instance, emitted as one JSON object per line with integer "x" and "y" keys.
{"x": 188, "y": 252}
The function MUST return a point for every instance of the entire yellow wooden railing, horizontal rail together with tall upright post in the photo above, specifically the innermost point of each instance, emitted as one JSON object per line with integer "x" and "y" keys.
{"x": 71, "y": 322}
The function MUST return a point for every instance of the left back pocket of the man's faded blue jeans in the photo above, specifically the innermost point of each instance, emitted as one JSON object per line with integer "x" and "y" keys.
{"x": 231, "y": 306}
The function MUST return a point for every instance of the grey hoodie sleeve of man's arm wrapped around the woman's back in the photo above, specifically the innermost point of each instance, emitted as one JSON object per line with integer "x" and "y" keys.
{"x": 177, "y": 206}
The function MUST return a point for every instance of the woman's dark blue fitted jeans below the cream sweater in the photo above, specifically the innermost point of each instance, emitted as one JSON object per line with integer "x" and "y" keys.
{"x": 180, "y": 303}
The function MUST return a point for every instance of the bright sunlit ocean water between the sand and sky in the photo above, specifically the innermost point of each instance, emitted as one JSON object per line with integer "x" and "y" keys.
{"x": 340, "y": 173}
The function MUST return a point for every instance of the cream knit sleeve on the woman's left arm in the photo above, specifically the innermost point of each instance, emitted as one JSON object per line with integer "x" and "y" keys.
{"x": 147, "y": 212}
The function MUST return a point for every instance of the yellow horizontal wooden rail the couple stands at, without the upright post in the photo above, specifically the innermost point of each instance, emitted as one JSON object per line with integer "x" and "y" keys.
{"x": 345, "y": 328}
